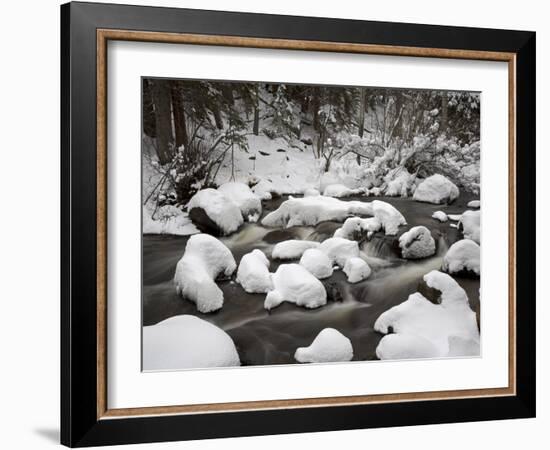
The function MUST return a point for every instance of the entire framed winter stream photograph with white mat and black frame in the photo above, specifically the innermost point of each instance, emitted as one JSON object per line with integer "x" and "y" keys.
{"x": 276, "y": 224}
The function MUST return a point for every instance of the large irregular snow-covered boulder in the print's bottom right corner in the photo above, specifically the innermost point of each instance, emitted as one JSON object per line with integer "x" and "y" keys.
{"x": 421, "y": 329}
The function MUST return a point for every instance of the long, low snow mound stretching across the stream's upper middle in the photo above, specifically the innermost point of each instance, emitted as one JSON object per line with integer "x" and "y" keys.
{"x": 312, "y": 210}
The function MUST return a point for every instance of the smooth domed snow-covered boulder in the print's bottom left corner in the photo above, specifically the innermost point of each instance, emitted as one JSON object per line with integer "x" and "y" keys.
{"x": 187, "y": 342}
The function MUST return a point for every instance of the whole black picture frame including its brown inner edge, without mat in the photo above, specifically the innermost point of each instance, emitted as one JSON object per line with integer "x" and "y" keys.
{"x": 85, "y": 417}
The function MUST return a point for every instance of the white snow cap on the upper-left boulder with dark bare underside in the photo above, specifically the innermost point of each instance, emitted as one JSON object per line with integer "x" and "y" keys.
{"x": 223, "y": 212}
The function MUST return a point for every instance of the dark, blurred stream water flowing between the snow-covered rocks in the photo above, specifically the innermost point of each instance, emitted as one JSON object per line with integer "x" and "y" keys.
{"x": 272, "y": 337}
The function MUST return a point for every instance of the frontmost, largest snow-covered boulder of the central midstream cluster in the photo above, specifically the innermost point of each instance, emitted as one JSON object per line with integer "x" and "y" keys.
{"x": 293, "y": 283}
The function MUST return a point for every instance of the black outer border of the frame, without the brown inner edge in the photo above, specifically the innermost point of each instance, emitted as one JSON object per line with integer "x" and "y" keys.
{"x": 79, "y": 425}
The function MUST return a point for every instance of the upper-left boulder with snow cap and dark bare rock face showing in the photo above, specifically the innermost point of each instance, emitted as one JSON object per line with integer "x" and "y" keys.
{"x": 213, "y": 212}
